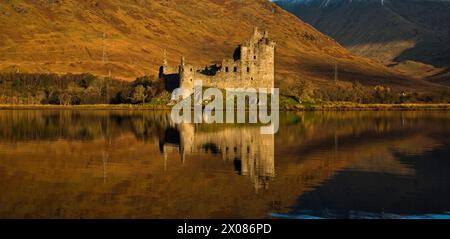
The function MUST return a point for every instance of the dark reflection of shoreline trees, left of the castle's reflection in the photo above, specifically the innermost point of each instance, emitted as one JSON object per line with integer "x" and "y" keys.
{"x": 79, "y": 125}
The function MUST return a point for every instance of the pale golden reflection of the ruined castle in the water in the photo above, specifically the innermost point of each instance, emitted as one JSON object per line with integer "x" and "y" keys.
{"x": 251, "y": 152}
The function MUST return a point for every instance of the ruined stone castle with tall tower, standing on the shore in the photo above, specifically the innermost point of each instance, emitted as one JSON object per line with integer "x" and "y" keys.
{"x": 252, "y": 66}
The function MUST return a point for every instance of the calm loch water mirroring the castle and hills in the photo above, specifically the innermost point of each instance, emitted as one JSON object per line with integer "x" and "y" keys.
{"x": 138, "y": 164}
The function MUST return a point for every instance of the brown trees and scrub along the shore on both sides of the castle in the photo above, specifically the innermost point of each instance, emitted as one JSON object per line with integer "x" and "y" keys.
{"x": 86, "y": 91}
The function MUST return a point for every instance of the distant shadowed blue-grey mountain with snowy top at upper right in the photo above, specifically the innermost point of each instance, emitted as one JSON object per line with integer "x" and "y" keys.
{"x": 388, "y": 30}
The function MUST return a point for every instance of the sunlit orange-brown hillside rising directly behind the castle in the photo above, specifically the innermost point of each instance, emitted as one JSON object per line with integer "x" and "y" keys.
{"x": 127, "y": 38}
